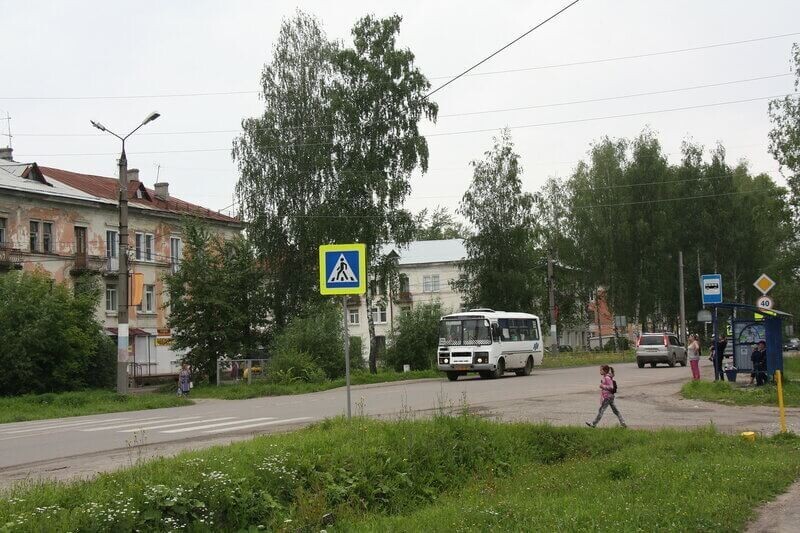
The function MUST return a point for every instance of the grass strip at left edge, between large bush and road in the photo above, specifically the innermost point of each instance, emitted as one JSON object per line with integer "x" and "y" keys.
{"x": 58, "y": 405}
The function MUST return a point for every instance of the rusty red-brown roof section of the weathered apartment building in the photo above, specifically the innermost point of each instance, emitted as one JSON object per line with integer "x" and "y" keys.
{"x": 106, "y": 189}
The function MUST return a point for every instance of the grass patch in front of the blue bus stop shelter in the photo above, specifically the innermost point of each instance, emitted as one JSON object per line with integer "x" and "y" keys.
{"x": 735, "y": 394}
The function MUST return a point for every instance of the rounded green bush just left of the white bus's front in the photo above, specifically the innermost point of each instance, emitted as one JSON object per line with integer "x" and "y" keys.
{"x": 416, "y": 338}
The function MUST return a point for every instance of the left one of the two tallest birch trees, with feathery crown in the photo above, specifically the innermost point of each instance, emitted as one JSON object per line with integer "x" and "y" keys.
{"x": 285, "y": 166}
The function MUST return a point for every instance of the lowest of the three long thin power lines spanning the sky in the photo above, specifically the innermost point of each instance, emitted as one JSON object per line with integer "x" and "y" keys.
{"x": 460, "y": 132}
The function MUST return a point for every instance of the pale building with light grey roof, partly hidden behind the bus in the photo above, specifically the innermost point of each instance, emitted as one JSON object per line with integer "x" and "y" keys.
{"x": 426, "y": 269}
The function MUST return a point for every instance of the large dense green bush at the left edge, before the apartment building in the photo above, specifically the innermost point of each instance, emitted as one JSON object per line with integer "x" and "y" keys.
{"x": 50, "y": 340}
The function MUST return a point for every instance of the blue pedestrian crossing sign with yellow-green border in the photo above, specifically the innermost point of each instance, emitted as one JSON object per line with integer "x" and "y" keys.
{"x": 342, "y": 268}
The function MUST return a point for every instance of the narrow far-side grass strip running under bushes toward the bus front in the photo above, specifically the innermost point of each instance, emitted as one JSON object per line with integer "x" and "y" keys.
{"x": 258, "y": 389}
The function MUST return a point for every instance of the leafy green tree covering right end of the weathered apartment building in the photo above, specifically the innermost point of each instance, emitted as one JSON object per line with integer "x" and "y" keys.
{"x": 216, "y": 299}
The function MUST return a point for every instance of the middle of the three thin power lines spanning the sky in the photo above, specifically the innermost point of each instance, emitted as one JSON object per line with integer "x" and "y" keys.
{"x": 466, "y": 113}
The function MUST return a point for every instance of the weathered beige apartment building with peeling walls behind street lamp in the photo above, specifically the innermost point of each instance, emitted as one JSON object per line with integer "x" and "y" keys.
{"x": 67, "y": 224}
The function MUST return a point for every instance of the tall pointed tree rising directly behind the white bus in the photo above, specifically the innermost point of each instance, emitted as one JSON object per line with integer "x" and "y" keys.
{"x": 503, "y": 269}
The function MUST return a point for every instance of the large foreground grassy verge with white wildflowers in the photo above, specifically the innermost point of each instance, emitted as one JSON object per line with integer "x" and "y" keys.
{"x": 446, "y": 474}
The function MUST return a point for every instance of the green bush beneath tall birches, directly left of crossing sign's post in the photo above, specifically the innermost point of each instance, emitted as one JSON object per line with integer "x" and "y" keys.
{"x": 317, "y": 334}
